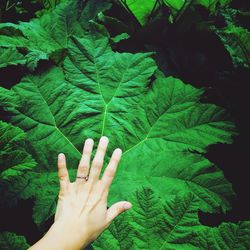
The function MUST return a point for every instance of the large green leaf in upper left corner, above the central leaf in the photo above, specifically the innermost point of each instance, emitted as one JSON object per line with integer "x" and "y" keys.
{"x": 47, "y": 37}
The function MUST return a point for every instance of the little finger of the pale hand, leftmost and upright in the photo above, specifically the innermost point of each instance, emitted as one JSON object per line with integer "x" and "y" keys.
{"x": 63, "y": 174}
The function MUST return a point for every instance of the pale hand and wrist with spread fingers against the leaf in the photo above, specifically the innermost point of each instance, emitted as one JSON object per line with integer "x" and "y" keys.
{"x": 82, "y": 214}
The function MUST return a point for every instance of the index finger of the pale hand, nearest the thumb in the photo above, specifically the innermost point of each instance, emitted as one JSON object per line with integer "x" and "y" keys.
{"x": 110, "y": 170}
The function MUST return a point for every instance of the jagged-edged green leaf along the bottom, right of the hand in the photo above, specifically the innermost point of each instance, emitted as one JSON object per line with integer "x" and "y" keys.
{"x": 154, "y": 224}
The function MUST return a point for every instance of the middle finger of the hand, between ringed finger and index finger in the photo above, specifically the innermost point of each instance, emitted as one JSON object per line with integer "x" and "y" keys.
{"x": 98, "y": 160}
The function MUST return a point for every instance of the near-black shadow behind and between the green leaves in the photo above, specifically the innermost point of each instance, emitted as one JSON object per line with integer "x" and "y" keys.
{"x": 197, "y": 57}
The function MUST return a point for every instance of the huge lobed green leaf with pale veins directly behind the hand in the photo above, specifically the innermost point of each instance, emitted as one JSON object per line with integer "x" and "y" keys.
{"x": 159, "y": 124}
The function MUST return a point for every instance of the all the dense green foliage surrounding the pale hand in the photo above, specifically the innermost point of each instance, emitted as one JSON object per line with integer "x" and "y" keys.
{"x": 80, "y": 78}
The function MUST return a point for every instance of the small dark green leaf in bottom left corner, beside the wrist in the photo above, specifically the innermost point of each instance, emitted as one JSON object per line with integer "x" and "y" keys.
{"x": 11, "y": 241}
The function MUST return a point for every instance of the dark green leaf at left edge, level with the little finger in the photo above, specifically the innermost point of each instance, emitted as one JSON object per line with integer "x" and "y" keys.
{"x": 15, "y": 163}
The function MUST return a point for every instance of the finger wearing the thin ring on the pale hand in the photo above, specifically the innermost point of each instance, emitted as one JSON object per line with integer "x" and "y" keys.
{"x": 83, "y": 168}
